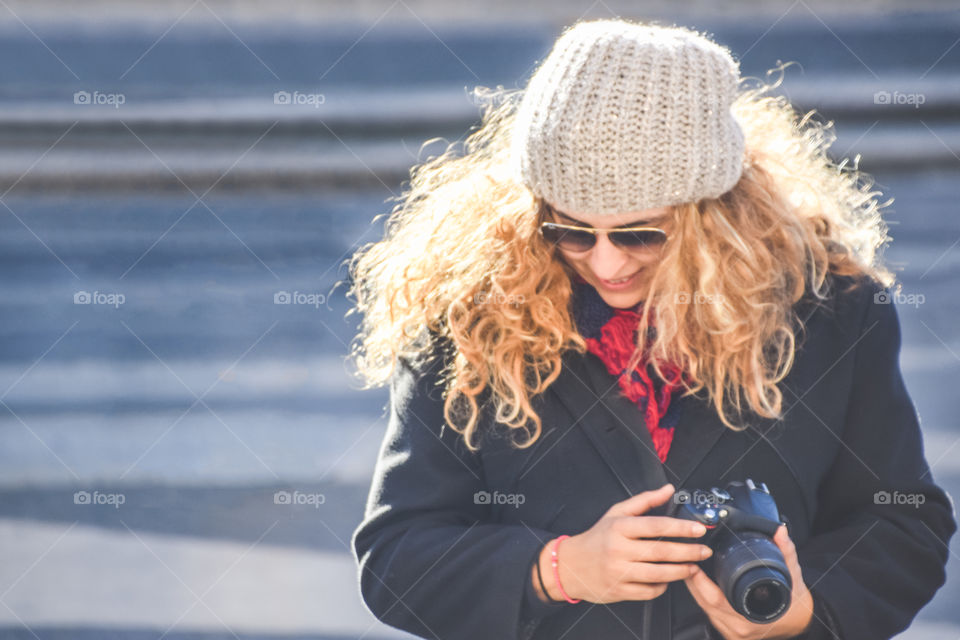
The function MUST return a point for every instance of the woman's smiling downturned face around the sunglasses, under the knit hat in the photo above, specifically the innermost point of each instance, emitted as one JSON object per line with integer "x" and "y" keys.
{"x": 605, "y": 262}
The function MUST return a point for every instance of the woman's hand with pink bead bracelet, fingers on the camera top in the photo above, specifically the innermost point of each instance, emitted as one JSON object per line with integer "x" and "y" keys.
{"x": 614, "y": 560}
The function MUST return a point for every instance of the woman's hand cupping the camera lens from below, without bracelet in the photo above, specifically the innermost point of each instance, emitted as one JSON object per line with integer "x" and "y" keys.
{"x": 733, "y": 626}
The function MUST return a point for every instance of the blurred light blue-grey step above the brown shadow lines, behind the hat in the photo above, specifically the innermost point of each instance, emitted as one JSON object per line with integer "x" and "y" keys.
{"x": 373, "y": 111}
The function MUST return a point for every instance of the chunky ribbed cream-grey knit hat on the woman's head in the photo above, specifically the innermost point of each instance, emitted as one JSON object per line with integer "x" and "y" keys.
{"x": 622, "y": 117}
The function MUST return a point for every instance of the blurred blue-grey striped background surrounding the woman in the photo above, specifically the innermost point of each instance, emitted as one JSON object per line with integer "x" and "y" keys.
{"x": 183, "y": 453}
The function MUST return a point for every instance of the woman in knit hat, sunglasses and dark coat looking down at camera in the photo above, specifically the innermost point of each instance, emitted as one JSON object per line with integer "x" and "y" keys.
{"x": 638, "y": 277}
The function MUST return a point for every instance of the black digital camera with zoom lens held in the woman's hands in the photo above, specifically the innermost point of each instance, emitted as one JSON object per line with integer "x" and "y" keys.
{"x": 746, "y": 563}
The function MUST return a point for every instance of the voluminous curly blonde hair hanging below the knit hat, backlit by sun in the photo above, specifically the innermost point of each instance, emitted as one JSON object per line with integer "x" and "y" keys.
{"x": 462, "y": 260}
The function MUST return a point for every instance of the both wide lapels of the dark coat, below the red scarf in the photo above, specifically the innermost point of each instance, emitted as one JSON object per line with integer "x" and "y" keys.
{"x": 616, "y": 427}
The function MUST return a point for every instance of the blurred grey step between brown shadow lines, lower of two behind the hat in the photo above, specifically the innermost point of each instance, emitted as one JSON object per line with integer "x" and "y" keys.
{"x": 274, "y": 156}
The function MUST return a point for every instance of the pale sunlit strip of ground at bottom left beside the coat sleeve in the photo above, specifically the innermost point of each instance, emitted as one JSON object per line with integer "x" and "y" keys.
{"x": 179, "y": 584}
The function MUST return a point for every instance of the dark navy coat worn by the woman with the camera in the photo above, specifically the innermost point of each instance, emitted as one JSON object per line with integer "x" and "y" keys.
{"x": 440, "y": 561}
